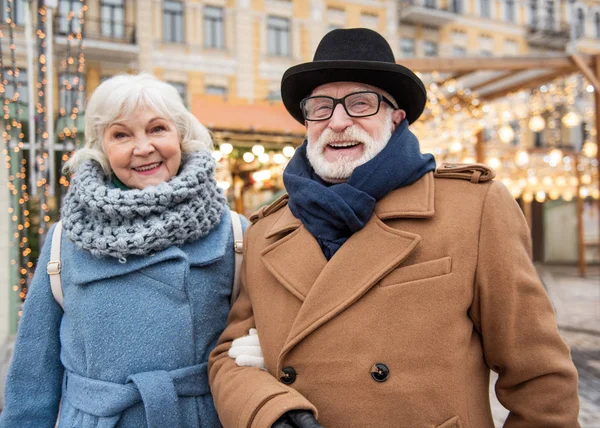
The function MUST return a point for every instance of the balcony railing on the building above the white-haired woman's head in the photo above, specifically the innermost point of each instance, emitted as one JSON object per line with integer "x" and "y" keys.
{"x": 97, "y": 29}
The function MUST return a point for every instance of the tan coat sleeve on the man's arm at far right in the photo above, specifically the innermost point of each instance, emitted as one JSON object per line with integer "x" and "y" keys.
{"x": 537, "y": 380}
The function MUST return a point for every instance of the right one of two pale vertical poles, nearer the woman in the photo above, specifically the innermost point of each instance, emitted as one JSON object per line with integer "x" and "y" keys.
{"x": 50, "y": 96}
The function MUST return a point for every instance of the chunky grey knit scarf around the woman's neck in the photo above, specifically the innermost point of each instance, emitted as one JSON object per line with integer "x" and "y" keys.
{"x": 108, "y": 221}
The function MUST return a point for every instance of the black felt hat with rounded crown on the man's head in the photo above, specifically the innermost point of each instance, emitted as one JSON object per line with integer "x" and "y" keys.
{"x": 354, "y": 55}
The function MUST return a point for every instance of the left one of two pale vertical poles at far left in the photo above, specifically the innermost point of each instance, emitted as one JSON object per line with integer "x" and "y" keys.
{"x": 30, "y": 99}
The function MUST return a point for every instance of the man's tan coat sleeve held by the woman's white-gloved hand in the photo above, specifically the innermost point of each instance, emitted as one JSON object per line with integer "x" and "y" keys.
{"x": 247, "y": 397}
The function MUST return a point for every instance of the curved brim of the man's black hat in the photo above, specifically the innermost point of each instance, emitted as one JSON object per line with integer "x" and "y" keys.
{"x": 400, "y": 82}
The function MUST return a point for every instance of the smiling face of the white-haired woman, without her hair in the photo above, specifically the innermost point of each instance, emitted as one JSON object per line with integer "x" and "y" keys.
{"x": 143, "y": 149}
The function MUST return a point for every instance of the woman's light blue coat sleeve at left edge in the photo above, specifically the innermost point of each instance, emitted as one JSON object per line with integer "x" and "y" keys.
{"x": 34, "y": 380}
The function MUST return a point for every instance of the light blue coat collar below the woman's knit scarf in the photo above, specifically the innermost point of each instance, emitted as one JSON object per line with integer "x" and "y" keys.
{"x": 82, "y": 267}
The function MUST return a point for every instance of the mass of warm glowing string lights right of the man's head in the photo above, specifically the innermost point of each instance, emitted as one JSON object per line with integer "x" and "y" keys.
{"x": 532, "y": 138}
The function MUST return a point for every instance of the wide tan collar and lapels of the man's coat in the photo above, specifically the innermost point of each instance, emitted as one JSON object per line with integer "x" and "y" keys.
{"x": 326, "y": 288}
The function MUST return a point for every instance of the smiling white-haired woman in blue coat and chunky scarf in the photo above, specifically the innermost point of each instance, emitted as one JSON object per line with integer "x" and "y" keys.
{"x": 147, "y": 269}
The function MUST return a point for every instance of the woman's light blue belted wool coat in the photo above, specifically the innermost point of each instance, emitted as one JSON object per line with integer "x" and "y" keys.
{"x": 131, "y": 348}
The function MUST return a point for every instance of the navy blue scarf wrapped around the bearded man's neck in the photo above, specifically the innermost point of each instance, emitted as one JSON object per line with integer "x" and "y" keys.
{"x": 333, "y": 212}
